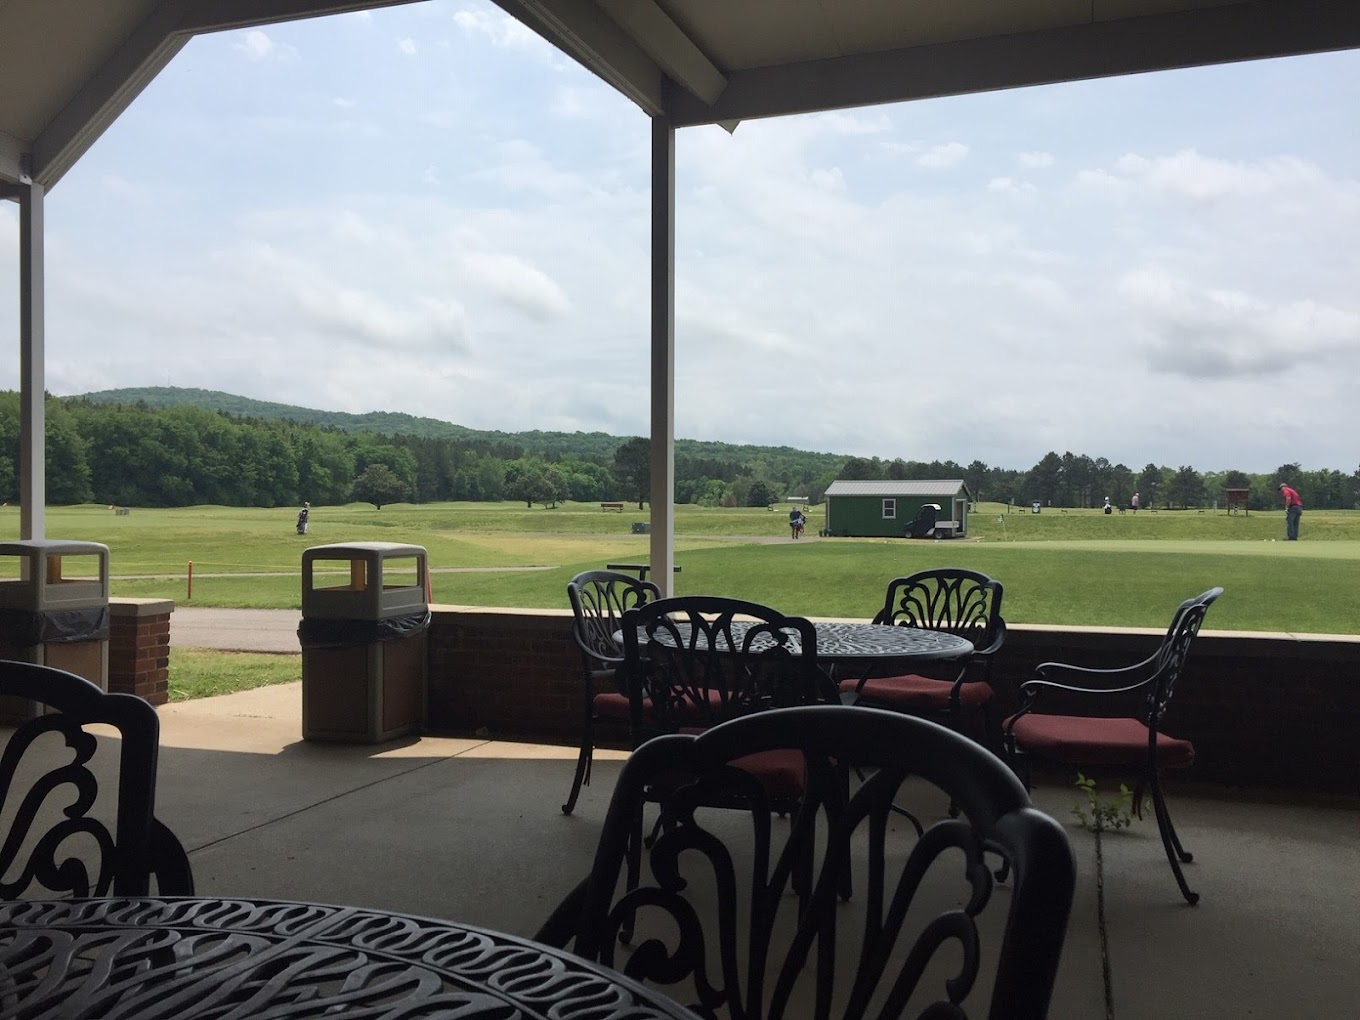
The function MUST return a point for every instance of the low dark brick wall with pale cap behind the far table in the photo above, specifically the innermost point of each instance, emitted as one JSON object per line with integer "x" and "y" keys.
{"x": 1264, "y": 711}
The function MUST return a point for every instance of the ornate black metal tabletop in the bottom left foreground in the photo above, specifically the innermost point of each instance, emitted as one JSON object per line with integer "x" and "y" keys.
{"x": 235, "y": 958}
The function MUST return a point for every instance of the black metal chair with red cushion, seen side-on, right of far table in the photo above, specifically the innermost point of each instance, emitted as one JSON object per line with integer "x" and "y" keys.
{"x": 1112, "y": 720}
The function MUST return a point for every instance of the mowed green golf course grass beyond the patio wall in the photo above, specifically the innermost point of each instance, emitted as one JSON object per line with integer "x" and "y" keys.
{"x": 1071, "y": 569}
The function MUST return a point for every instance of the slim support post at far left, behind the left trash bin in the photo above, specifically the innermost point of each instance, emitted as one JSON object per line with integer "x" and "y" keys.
{"x": 33, "y": 481}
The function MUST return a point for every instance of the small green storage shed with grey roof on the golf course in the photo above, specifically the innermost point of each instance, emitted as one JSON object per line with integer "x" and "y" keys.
{"x": 885, "y": 509}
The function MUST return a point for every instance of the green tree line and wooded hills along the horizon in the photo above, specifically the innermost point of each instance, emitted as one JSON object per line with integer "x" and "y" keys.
{"x": 137, "y": 455}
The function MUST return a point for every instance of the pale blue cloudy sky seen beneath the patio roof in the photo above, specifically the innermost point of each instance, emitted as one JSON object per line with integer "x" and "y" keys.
{"x": 429, "y": 210}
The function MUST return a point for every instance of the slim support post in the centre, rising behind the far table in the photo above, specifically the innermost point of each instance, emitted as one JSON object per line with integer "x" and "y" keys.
{"x": 663, "y": 353}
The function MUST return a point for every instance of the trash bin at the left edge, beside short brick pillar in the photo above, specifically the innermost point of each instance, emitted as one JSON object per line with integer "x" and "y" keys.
{"x": 55, "y": 610}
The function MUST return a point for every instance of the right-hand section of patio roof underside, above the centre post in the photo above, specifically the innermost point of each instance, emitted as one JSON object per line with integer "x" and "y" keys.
{"x": 720, "y": 62}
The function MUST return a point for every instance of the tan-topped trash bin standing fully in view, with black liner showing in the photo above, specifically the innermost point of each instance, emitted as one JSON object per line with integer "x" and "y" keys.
{"x": 364, "y": 634}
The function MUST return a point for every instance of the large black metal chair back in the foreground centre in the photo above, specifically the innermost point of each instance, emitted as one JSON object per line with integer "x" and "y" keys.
{"x": 719, "y": 925}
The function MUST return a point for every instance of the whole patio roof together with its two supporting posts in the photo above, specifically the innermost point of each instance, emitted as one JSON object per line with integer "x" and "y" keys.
{"x": 69, "y": 69}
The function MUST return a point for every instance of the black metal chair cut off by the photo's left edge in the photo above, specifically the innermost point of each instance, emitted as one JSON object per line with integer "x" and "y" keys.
{"x": 67, "y": 836}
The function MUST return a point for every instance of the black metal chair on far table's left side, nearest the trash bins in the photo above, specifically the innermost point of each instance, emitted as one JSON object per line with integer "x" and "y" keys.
{"x": 599, "y": 600}
